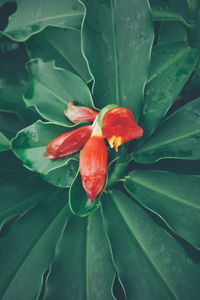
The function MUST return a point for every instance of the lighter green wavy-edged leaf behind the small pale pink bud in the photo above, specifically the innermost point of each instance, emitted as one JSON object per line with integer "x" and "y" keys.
{"x": 50, "y": 88}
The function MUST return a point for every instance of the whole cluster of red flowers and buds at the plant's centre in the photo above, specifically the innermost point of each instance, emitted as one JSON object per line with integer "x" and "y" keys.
{"x": 117, "y": 125}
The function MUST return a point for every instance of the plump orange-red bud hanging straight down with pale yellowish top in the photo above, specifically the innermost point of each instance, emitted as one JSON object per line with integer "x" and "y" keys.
{"x": 93, "y": 164}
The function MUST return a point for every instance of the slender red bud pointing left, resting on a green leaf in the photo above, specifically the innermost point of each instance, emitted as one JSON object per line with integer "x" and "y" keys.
{"x": 68, "y": 143}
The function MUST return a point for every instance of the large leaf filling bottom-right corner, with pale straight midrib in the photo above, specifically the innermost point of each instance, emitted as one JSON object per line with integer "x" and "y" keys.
{"x": 150, "y": 263}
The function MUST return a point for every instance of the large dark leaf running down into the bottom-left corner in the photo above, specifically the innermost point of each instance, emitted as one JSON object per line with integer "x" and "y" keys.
{"x": 28, "y": 245}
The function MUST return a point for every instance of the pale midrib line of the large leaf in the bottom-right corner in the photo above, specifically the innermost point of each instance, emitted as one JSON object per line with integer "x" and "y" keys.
{"x": 144, "y": 251}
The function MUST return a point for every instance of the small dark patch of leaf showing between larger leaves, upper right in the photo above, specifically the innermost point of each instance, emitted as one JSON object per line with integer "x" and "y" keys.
{"x": 171, "y": 32}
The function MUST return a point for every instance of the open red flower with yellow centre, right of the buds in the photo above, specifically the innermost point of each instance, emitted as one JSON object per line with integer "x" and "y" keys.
{"x": 119, "y": 127}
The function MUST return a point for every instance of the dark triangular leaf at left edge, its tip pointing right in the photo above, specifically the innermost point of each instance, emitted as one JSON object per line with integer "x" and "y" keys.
{"x": 19, "y": 188}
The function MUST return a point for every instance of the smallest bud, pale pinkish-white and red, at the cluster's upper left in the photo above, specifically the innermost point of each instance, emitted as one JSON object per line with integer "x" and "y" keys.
{"x": 79, "y": 113}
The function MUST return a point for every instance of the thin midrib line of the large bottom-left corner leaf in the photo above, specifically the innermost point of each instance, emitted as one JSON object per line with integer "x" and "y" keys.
{"x": 31, "y": 249}
